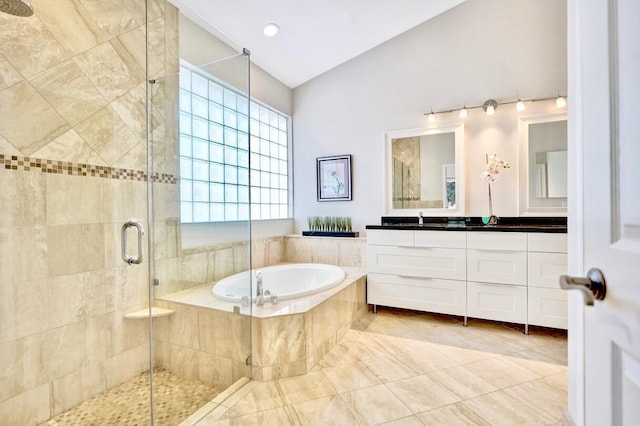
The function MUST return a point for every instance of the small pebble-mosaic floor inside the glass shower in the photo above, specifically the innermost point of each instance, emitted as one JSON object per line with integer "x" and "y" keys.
{"x": 175, "y": 399}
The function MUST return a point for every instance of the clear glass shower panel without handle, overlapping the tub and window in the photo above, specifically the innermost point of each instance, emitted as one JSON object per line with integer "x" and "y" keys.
{"x": 200, "y": 227}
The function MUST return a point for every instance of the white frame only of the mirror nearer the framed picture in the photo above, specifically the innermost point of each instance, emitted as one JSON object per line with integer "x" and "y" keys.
{"x": 458, "y": 130}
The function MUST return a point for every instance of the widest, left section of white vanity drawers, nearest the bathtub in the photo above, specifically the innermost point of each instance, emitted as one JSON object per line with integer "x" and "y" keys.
{"x": 421, "y": 270}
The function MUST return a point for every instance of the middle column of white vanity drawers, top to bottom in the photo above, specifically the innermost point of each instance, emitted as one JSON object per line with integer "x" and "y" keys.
{"x": 497, "y": 276}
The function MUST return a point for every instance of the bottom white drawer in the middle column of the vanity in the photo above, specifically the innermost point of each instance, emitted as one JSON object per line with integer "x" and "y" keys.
{"x": 497, "y": 302}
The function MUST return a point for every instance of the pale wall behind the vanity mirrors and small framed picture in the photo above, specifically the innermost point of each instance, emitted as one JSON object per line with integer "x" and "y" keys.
{"x": 481, "y": 49}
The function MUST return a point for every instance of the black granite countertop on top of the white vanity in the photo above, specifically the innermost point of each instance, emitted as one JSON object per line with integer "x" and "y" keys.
{"x": 505, "y": 224}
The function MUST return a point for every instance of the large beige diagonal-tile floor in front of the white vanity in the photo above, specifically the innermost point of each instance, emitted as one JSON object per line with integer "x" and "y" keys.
{"x": 409, "y": 368}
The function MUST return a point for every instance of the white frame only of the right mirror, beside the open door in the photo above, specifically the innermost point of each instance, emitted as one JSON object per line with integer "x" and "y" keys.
{"x": 523, "y": 131}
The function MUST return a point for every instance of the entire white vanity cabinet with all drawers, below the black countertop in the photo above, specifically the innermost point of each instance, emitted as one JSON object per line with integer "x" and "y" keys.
{"x": 502, "y": 276}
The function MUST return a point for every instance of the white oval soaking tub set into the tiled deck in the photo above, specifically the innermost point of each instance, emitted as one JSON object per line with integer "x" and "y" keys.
{"x": 287, "y": 281}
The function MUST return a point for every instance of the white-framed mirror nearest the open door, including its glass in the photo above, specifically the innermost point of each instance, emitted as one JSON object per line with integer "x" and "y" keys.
{"x": 543, "y": 165}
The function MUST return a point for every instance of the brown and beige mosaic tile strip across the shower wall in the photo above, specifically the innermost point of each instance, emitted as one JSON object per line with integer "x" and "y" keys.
{"x": 14, "y": 162}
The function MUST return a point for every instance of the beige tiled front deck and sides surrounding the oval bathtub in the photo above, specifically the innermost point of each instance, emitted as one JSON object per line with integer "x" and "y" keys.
{"x": 287, "y": 338}
